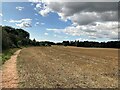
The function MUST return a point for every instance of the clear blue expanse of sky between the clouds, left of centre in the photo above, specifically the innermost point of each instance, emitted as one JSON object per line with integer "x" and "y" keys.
{"x": 39, "y": 31}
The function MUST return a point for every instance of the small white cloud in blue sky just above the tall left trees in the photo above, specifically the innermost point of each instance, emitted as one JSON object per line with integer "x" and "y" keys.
{"x": 23, "y": 23}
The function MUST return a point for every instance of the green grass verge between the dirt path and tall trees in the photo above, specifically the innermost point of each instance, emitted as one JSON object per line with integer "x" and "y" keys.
{"x": 6, "y": 54}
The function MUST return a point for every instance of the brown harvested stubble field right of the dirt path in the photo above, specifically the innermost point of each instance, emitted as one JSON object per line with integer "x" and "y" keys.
{"x": 67, "y": 67}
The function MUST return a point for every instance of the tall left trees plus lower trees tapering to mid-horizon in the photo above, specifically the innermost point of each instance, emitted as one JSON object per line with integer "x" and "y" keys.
{"x": 16, "y": 38}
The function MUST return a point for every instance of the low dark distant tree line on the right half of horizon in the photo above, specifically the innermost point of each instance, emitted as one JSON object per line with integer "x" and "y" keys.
{"x": 109, "y": 44}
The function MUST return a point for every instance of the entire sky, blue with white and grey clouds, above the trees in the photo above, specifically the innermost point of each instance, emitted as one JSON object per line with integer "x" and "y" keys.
{"x": 59, "y": 21}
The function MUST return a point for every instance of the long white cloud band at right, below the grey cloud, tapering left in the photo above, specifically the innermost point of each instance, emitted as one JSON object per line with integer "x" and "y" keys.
{"x": 100, "y": 30}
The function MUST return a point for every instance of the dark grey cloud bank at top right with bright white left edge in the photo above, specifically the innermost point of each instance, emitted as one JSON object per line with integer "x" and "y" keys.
{"x": 71, "y": 10}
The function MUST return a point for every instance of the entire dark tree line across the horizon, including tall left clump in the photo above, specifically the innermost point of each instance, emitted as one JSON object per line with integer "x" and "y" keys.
{"x": 15, "y": 38}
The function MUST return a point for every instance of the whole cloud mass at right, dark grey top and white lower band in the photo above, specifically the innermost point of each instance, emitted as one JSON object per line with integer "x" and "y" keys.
{"x": 91, "y": 19}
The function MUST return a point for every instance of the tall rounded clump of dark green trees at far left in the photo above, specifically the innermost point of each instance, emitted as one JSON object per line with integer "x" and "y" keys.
{"x": 14, "y": 38}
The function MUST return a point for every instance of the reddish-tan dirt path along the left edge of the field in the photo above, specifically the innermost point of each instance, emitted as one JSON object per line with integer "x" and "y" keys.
{"x": 9, "y": 73}
